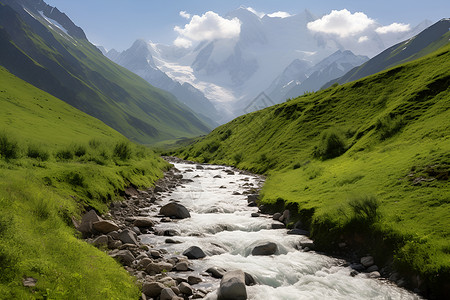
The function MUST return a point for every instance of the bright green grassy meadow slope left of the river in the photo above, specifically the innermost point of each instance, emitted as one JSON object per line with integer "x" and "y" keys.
{"x": 39, "y": 196}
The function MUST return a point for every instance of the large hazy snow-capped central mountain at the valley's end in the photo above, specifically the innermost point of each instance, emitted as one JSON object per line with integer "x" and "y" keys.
{"x": 231, "y": 72}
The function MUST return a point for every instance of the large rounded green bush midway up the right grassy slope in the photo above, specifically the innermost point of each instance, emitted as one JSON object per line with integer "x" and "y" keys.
{"x": 332, "y": 144}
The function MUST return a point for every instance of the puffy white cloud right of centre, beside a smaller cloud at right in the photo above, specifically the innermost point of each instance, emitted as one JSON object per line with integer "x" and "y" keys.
{"x": 342, "y": 23}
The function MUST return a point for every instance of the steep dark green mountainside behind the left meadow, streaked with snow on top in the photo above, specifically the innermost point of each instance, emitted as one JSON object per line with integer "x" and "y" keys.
{"x": 42, "y": 46}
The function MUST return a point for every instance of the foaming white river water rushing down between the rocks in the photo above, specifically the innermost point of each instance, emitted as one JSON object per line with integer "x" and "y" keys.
{"x": 221, "y": 224}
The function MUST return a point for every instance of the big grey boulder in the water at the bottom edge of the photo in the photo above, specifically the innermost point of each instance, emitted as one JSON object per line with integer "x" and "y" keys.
{"x": 232, "y": 286}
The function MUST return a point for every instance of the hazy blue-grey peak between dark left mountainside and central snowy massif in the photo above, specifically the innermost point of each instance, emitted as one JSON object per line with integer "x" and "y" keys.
{"x": 139, "y": 60}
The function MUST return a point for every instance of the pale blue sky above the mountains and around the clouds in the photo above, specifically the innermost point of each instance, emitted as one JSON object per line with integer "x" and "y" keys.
{"x": 117, "y": 24}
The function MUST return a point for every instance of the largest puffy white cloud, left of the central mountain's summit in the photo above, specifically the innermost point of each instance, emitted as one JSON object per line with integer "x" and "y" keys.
{"x": 209, "y": 26}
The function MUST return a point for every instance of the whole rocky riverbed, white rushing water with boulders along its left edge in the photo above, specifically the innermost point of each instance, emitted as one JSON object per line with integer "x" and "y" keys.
{"x": 199, "y": 234}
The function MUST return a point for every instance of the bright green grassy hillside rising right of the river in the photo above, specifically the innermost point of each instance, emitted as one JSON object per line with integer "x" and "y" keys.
{"x": 396, "y": 125}
